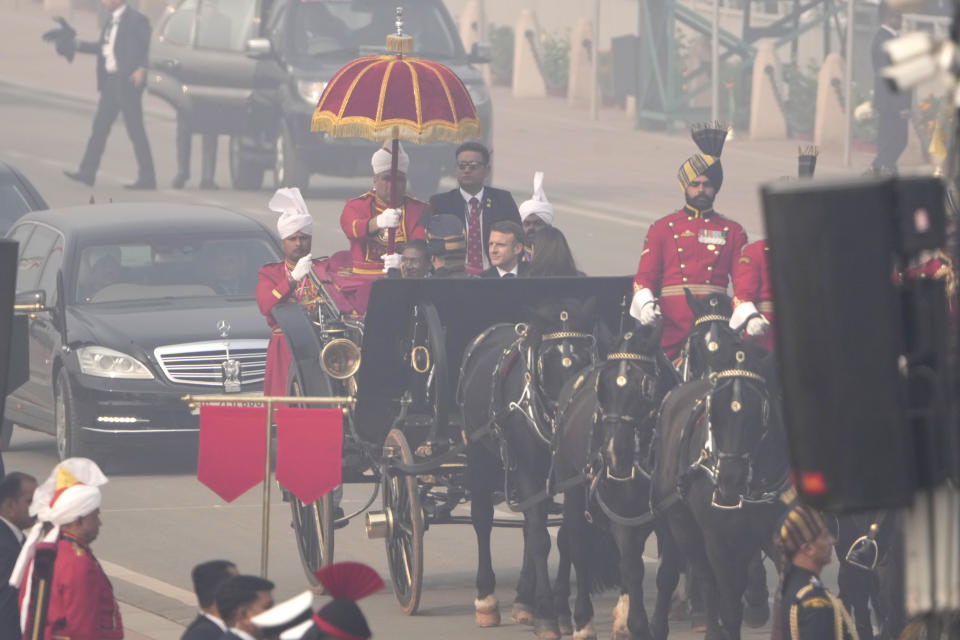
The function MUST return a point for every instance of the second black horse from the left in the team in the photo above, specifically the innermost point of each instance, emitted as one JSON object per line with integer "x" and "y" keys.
{"x": 606, "y": 427}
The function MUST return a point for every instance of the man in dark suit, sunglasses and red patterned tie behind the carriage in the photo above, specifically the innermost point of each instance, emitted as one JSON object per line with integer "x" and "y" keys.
{"x": 478, "y": 206}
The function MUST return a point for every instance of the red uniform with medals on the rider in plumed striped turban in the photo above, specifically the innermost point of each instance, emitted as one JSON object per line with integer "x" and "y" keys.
{"x": 691, "y": 249}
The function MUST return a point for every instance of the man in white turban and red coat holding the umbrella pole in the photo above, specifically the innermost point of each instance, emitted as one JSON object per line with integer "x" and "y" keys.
{"x": 367, "y": 219}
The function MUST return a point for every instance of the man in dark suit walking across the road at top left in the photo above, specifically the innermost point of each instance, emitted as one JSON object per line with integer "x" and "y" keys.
{"x": 121, "y": 77}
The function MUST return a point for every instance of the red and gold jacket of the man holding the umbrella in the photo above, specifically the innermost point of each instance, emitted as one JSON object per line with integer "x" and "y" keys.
{"x": 368, "y": 249}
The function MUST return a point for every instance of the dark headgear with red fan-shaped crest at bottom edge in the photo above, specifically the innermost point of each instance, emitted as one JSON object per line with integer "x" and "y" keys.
{"x": 341, "y": 618}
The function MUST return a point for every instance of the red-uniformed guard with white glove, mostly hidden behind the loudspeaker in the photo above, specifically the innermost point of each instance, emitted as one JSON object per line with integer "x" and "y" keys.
{"x": 752, "y": 293}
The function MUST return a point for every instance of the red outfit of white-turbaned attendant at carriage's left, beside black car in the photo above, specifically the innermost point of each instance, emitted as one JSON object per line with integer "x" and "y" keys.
{"x": 273, "y": 288}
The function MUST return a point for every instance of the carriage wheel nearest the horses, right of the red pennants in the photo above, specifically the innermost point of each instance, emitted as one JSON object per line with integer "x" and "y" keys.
{"x": 401, "y": 498}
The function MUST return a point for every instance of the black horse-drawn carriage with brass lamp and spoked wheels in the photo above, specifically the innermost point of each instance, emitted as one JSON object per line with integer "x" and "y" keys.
{"x": 402, "y": 364}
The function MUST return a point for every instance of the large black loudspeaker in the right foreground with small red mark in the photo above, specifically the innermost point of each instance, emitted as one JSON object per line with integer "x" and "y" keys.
{"x": 839, "y": 330}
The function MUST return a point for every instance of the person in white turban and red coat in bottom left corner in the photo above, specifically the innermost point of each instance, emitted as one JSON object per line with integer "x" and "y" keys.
{"x": 59, "y": 576}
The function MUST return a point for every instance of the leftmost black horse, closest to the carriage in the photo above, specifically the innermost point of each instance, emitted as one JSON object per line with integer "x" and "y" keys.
{"x": 510, "y": 383}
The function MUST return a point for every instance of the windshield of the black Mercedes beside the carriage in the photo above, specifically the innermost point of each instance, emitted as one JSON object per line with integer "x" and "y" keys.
{"x": 171, "y": 267}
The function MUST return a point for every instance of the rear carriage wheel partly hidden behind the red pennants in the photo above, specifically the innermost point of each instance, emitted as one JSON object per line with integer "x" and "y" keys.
{"x": 312, "y": 523}
